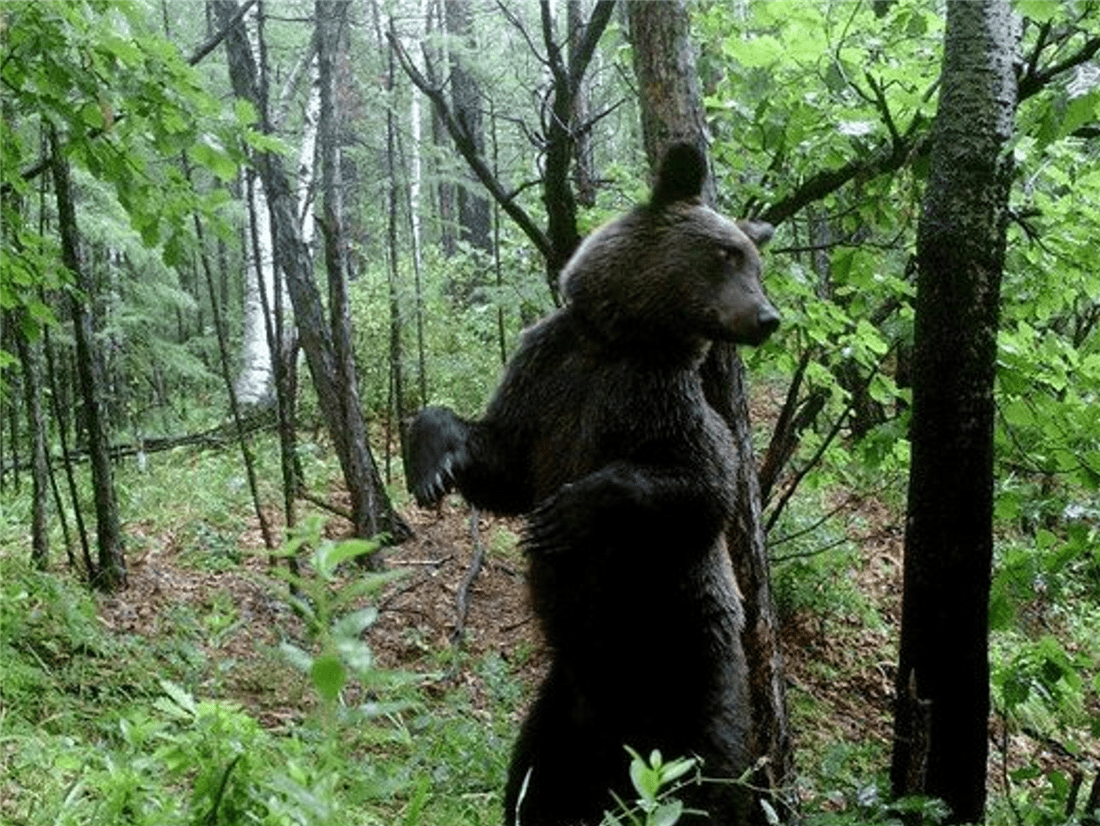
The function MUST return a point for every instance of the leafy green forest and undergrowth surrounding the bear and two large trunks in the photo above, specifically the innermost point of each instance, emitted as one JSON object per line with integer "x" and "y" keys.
{"x": 243, "y": 243}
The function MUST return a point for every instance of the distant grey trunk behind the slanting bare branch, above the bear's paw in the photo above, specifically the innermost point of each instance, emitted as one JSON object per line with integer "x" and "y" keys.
{"x": 466, "y": 101}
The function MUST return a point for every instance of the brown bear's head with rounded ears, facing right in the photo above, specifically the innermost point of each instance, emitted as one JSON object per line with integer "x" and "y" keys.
{"x": 673, "y": 273}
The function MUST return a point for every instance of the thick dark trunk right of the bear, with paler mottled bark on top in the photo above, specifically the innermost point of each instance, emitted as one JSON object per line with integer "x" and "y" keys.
{"x": 942, "y": 714}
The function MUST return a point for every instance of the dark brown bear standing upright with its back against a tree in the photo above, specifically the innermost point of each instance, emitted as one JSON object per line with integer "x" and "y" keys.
{"x": 600, "y": 433}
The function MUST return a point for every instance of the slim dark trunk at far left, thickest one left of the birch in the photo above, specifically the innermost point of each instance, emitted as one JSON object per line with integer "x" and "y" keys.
{"x": 111, "y": 574}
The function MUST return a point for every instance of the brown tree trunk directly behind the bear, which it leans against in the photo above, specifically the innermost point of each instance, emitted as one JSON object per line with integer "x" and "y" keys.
{"x": 673, "y": 111}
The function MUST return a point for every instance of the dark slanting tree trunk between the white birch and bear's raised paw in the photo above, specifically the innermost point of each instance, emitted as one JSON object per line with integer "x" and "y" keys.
{"x": 372, "y": 511}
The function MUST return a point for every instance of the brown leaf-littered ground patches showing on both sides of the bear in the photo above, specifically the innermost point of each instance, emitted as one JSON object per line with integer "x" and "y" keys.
{"x": 839, "y": 657}
